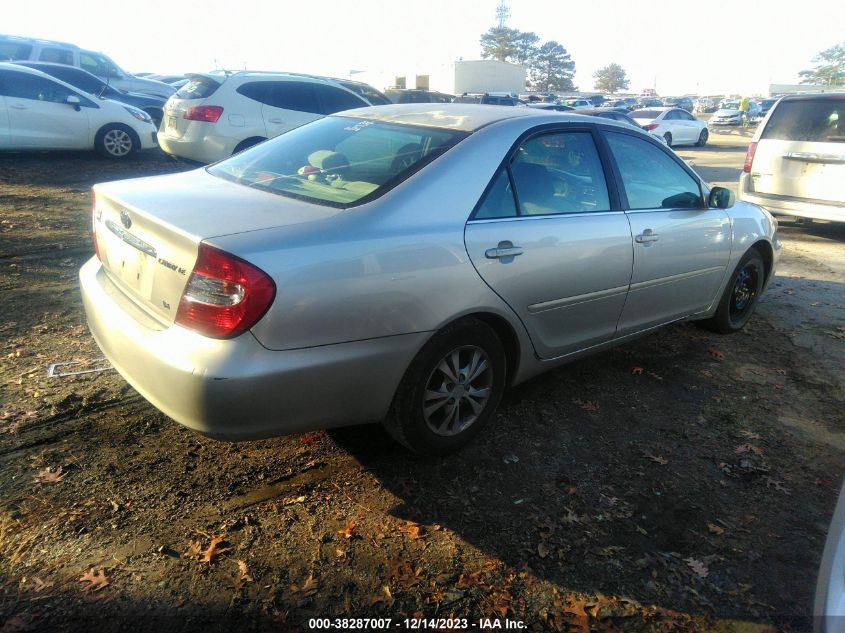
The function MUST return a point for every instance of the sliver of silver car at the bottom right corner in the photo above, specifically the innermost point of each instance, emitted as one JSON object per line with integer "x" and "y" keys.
{"x": 829, "y": 610}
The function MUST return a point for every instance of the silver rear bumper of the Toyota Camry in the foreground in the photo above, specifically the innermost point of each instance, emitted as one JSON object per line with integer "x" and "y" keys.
{"x": 237, "y": 389}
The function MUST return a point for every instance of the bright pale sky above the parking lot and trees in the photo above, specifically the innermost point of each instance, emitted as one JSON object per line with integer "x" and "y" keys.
{"x": 675, "y": 46}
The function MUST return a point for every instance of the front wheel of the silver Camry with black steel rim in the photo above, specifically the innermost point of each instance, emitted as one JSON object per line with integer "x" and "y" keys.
{"x": 740, "y": 297}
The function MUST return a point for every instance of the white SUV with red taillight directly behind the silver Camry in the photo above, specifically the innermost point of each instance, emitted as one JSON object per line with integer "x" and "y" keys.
{"x": 218, "y": 114}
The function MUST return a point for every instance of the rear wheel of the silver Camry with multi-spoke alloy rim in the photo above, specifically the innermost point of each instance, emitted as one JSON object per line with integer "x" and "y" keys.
{"x": 451, "y": 389}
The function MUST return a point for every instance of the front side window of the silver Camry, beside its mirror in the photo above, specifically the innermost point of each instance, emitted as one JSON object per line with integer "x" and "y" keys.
{"x": 651, "y": 177}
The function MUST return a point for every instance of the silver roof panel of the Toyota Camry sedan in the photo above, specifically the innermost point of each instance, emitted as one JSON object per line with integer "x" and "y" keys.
{"x": 466, "y": 117}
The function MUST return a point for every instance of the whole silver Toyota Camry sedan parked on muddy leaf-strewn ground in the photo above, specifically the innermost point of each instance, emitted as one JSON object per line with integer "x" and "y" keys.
{"x": 358, "y": 269}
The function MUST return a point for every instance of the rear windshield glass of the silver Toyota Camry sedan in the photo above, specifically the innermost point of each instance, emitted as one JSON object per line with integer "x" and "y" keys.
{"x": 338, "y": 161}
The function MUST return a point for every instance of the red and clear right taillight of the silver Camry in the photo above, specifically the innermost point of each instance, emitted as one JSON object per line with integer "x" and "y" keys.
{"x": 225, "y": 295}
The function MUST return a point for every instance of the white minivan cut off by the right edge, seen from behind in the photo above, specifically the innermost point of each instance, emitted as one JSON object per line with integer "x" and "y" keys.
{"x": 795, "y": 164}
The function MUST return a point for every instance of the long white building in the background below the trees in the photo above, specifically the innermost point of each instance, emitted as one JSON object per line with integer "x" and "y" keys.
{"x": 481, "y": 75}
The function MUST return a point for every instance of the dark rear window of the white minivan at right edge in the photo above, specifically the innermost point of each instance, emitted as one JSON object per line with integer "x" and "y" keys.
{"x": 814, "y": 120}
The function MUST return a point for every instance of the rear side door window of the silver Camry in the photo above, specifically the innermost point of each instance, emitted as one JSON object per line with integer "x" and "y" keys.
{"x": 559, "y": 173}
